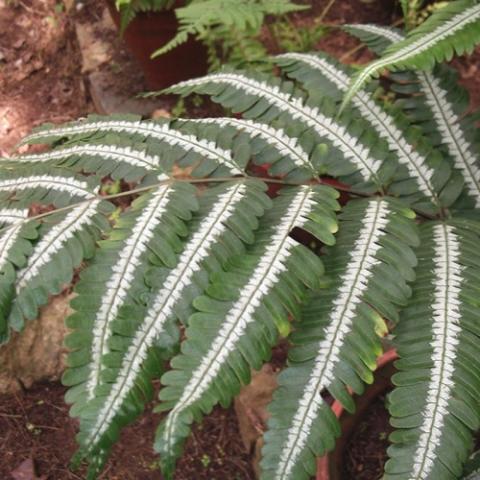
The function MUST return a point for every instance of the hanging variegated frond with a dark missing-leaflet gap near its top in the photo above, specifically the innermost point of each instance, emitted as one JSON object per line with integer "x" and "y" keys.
{"x": 242, "y": 313}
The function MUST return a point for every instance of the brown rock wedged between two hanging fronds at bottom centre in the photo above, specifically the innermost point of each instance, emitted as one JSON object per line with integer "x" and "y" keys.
{"x": 251, "y": 409}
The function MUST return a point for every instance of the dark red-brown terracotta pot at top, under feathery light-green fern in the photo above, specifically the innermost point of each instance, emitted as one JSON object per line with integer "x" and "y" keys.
{"x": 151, "y": 30}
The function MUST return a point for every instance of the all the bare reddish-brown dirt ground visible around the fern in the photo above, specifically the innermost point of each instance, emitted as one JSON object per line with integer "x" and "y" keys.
{"x": 40, "y": 81}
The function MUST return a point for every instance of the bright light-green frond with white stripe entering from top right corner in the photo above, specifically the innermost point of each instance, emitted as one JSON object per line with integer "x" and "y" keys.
{"x": 452, "y": 29}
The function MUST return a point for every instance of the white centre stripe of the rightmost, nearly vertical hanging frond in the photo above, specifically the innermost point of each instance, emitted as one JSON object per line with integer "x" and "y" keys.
{"x": 447, "y": 278}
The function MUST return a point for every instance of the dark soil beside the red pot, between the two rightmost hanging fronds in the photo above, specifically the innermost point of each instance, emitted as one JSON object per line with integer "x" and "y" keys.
{"x": 366, "y": 450}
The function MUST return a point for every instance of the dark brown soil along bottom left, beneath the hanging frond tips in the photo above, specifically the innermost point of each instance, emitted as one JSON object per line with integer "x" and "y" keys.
{"x": 36, "y": 425}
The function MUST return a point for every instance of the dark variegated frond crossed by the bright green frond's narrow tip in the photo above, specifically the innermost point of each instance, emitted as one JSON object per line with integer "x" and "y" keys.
{"x": 412, "y": 157}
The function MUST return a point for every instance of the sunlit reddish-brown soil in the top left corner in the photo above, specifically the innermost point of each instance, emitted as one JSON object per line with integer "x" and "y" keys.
{"x": 40, "y": 78}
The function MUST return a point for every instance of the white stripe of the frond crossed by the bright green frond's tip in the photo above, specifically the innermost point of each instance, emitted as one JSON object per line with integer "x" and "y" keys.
{"x": 383, "y": 123}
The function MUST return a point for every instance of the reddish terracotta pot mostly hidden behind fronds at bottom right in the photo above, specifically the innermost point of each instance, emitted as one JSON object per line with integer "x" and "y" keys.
{"x": 329, "y": 466}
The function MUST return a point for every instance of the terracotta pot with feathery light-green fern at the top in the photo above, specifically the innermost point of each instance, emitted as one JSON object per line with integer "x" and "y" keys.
{"x": 175, "y": 40}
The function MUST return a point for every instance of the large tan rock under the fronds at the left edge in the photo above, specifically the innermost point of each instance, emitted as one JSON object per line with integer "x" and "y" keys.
{"x": 37, "y": 353}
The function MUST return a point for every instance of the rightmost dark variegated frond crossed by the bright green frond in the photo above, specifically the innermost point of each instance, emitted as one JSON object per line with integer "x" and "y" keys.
{"x": 436, "y": 92}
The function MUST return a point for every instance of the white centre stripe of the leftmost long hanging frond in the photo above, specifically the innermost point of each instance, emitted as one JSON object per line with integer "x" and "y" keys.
{"x": 123, "y": 274}
